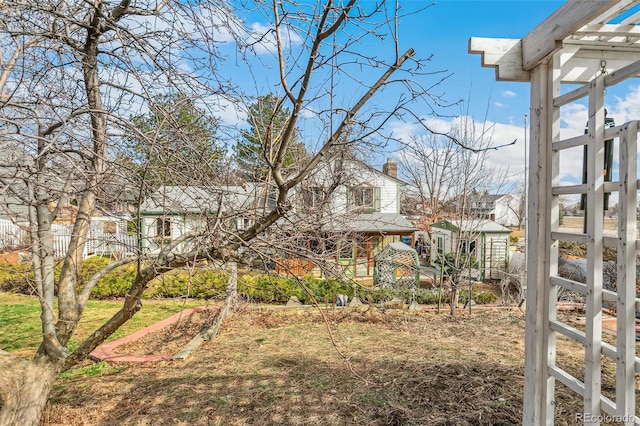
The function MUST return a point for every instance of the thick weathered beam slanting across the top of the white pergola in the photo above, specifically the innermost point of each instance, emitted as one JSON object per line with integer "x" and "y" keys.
{"x": 568, "y": 19}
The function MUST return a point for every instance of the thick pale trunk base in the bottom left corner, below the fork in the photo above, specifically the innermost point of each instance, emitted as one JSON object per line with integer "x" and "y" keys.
{"x": 25, "y": 388}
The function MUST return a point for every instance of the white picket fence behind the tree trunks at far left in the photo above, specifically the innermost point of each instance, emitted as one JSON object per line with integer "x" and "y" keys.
{"x": 99, "y": 243}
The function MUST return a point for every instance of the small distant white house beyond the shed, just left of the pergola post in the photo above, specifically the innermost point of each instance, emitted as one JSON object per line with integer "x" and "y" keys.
{"x": 500, "y": 208}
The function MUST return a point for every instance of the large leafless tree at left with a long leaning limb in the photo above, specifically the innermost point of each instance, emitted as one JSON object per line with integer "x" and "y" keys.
{"x": 74, "y": 72}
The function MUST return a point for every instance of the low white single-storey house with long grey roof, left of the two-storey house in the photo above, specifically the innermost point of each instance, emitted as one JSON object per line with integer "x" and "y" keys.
{"x": 172, "y": 211}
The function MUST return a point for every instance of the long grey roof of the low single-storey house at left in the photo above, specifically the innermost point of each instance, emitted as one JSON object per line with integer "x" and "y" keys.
{"x": 199, "y": 200}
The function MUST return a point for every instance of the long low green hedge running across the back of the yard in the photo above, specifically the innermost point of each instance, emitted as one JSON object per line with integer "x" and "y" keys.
{"x": 208, "y": 284}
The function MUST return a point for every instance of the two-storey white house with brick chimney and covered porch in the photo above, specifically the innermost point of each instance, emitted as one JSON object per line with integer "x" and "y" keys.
{"x": 356, "y": 209}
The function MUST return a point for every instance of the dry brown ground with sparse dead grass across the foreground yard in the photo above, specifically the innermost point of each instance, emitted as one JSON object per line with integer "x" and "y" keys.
{"x": 282, "y": 367}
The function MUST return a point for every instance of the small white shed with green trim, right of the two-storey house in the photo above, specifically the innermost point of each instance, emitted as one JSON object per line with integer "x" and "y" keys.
{"x": 486, "y": 240}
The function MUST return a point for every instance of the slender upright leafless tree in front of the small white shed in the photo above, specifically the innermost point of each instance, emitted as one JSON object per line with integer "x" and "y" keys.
{"x": 447, "y": 171}
